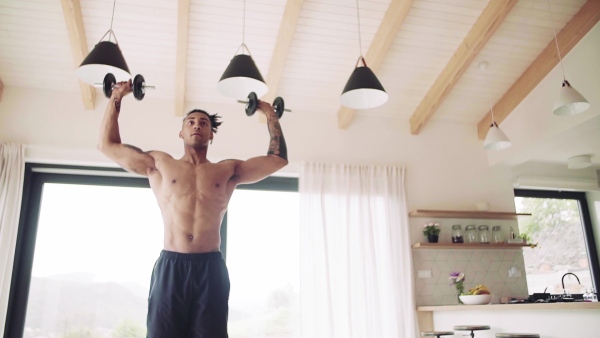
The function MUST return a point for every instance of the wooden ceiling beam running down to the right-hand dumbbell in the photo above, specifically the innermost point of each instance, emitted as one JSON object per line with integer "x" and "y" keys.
{"x": 287, "y": 29}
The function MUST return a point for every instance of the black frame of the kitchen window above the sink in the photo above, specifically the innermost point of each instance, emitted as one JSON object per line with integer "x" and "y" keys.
{"x": 586, "y": 222}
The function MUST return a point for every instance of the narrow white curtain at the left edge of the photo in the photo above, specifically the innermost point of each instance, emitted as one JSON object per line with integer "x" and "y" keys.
{"x": 12, "y": 169}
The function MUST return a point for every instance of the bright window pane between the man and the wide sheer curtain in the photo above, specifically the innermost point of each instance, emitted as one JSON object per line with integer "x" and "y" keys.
{"x": 264, "y": 264}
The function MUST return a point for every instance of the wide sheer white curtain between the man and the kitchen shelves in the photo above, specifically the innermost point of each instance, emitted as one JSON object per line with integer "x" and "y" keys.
{"x": 356, "y": 266}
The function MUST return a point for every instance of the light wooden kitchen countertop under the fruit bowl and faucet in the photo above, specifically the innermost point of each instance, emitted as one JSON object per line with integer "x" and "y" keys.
{"x": 425, "y": 313}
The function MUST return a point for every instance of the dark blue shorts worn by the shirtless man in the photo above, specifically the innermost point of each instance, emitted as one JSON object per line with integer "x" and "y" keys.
{"x": 189, "y": 295}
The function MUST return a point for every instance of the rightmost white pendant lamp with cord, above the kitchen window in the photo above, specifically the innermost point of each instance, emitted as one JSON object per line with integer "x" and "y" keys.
{"x": 569, "y": 102}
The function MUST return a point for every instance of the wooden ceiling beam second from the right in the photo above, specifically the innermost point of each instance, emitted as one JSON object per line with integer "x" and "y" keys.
{"x": 481, "y": 32}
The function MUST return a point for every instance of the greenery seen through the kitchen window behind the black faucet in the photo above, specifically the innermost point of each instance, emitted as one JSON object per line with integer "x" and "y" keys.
{"x": 556, "y": 226}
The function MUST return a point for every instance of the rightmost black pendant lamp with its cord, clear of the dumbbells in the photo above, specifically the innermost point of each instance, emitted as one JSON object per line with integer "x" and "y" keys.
{"x": 363, "y": 90}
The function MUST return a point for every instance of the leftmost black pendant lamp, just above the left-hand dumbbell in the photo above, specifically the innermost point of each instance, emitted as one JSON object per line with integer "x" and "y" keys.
{"x": 106, "y": 57}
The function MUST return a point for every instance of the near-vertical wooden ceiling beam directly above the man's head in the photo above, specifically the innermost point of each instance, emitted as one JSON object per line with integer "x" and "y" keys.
{"x": 183, "y": 24}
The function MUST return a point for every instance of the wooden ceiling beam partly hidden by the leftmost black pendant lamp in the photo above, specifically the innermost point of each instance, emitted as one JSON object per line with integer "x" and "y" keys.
{"x": 76, "y": 31}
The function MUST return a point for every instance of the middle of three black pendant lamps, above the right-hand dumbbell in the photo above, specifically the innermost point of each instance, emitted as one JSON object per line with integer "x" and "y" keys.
{"x": 242, "y": 76}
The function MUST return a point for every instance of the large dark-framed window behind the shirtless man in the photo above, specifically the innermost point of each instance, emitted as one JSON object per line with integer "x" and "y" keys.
{"x": 87, "y": 245}
